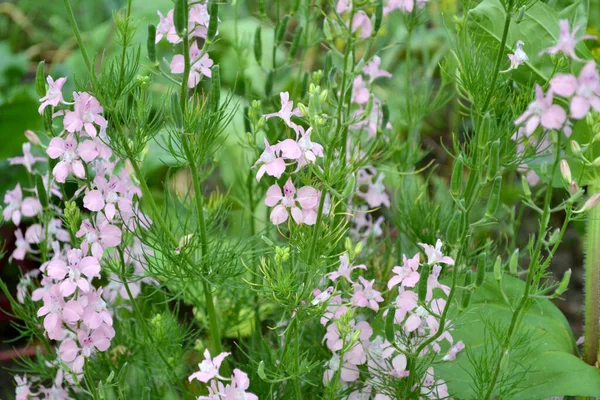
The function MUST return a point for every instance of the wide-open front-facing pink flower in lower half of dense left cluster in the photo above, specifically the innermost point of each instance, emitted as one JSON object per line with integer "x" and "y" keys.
{"x": 79, "y": 267}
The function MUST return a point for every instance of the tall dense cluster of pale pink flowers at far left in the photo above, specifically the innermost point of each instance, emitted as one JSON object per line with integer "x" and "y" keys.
{"x": 76, "y": 312}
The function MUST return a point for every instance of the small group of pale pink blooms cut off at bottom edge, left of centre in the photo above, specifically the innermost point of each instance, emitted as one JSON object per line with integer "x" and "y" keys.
{"x": 209, "y": 373}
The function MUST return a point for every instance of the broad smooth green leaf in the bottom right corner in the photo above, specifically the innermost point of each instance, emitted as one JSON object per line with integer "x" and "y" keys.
{"x": 554, "y": 367}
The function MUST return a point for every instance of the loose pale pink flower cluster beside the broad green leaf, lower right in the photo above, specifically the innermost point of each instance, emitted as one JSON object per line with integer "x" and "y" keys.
{"x": 362, "y": 359}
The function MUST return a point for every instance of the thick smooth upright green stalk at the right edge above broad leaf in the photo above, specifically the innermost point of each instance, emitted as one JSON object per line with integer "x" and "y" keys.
{"x": 592, "y": 282}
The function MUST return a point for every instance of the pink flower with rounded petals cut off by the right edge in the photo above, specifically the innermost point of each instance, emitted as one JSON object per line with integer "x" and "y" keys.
{"x": 585, "y": 89}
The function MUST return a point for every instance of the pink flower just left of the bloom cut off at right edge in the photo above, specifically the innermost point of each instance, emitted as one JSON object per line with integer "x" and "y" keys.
{"x": 541, "y": 110}
